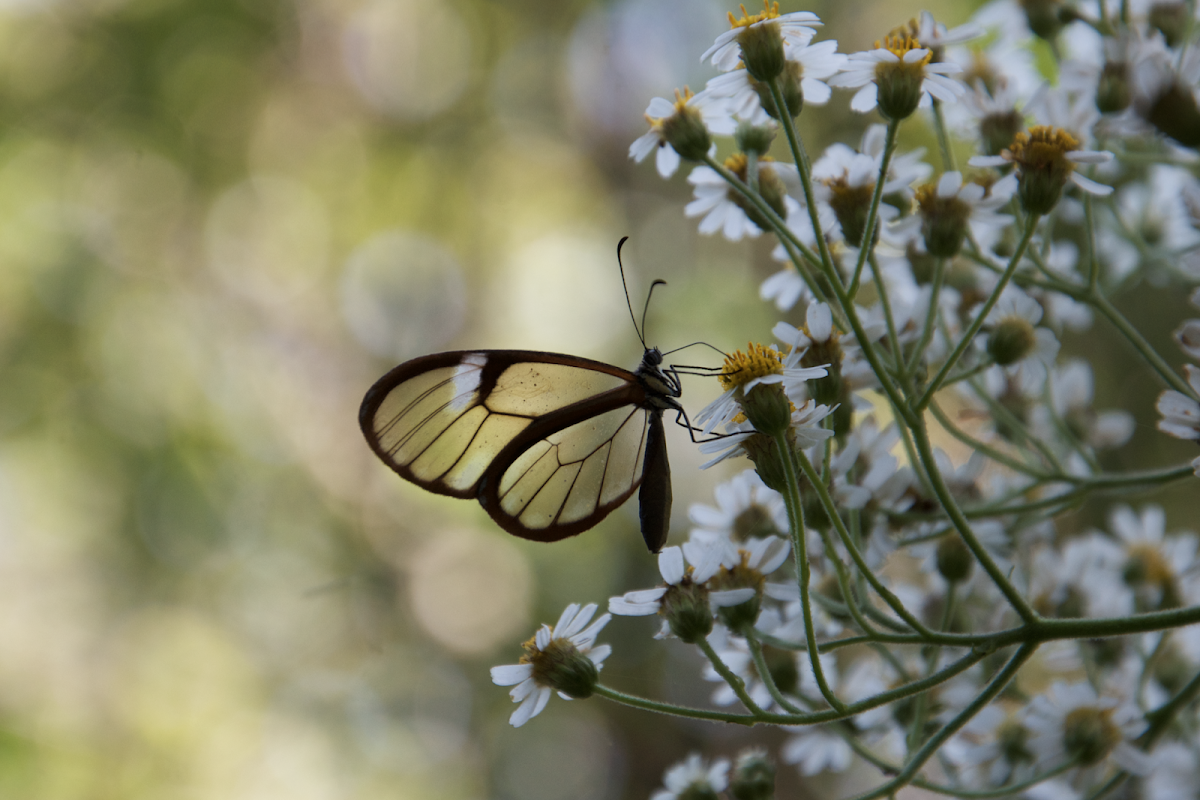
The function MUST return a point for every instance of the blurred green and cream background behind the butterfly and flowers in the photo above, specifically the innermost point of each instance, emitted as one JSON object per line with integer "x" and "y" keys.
{"x": 220, "y": 222}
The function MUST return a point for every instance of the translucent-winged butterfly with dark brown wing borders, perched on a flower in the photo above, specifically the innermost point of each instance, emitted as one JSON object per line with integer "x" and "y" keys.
{"x": 549, "y": 444}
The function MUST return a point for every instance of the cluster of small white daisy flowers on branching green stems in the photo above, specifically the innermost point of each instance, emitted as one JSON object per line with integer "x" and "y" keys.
{"x": 925, "y": 566}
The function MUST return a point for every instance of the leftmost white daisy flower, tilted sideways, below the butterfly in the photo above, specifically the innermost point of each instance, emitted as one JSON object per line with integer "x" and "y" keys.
{"x": 542, "y": 670}
